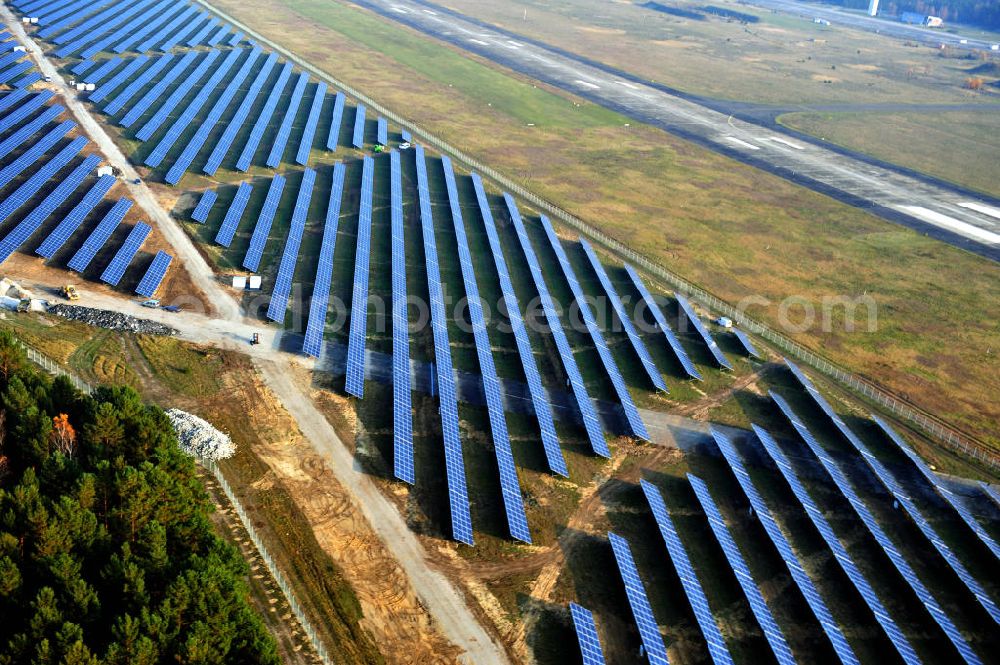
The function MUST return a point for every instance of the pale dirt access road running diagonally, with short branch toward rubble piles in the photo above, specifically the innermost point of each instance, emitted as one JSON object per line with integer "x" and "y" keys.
{"x": 447, "y": 606}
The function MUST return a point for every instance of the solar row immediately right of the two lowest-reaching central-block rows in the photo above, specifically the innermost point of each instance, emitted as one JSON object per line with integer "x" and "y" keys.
{"x": 539, "y": 398}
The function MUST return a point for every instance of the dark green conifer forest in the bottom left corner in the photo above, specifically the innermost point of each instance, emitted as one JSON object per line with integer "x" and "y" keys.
{"x": 107, "y": 554}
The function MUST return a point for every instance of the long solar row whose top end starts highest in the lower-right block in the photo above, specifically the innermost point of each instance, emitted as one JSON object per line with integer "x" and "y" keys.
{"x": 889, "y": 482}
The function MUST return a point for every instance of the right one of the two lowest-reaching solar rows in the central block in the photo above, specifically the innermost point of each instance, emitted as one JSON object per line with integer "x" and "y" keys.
{"x": 517, "y": 521}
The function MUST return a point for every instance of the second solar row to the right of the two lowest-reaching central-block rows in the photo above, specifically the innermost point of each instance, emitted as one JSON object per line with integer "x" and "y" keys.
{"x": 588, "y": 415}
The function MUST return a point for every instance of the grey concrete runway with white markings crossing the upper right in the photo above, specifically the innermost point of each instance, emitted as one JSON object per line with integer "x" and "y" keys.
{"x": 924, "y": 204}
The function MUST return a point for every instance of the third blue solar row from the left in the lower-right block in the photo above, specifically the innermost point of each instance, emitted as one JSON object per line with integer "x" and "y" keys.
{"x": 689, "y": 578}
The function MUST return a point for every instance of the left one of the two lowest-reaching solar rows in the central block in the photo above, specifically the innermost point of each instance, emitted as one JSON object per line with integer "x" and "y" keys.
{"x": 458, "y": 494}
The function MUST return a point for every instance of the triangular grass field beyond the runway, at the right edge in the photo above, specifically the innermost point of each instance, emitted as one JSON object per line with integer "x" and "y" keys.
{"x": 957, "y": 146}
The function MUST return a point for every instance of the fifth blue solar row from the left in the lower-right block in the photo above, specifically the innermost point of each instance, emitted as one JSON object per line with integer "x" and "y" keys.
{"x": 799, "y": 576}
